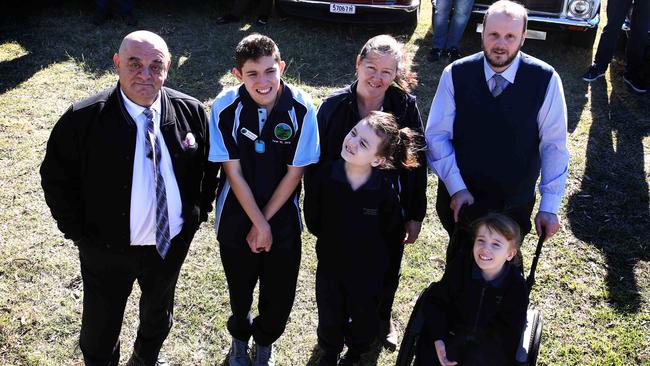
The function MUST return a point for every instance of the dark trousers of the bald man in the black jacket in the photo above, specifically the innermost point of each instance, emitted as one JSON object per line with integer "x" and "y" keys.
{"x": 108, "y": 276}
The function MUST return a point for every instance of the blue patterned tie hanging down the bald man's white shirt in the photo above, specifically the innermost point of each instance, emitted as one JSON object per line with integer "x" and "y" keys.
{"x": 162, "y": 217}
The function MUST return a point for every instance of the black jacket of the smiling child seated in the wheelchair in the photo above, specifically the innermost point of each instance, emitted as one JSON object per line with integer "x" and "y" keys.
{"x": 472, "y": 315}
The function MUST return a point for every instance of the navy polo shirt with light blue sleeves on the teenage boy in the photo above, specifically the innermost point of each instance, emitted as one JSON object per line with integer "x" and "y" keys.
{"x": 265, "y": 145}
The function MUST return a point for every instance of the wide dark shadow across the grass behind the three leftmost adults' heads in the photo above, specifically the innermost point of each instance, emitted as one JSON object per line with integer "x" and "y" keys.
{"x": 202, "y": 51}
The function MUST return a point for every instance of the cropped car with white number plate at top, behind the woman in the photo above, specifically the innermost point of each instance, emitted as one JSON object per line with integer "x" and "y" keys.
{"x": 359, "y": 11}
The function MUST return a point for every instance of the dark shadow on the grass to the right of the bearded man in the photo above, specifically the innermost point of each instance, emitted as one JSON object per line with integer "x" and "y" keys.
{"x": 611, "y": 209}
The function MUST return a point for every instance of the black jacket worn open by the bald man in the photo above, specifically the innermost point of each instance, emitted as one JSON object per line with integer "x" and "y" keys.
{"x": 88, "y": 167}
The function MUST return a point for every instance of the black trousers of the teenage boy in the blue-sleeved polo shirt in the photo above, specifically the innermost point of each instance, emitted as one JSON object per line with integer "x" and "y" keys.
{"x": 277, "y": 272}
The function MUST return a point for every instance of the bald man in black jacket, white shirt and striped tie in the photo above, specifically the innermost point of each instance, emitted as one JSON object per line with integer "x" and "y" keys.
{"x": 127, "y": 180}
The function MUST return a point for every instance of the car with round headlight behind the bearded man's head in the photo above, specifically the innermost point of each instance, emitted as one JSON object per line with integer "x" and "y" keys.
{"x": 579, "y": 17}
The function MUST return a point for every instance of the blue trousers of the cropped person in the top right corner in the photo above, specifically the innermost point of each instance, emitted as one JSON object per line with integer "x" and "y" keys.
{"x": 616, "y": 12}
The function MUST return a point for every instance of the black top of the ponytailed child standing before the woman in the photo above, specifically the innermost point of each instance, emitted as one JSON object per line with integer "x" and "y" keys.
{"x": 352, "y": 227}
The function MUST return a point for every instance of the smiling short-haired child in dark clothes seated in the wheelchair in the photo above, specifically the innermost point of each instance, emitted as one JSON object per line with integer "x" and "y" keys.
{"x": 476, "y": 312}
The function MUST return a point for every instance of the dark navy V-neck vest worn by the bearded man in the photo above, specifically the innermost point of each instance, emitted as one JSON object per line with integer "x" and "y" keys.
{"x": 496, "y": 140}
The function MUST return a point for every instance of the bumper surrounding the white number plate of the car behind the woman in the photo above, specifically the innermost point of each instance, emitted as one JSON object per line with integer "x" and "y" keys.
{"x": 365, "y": 13}
